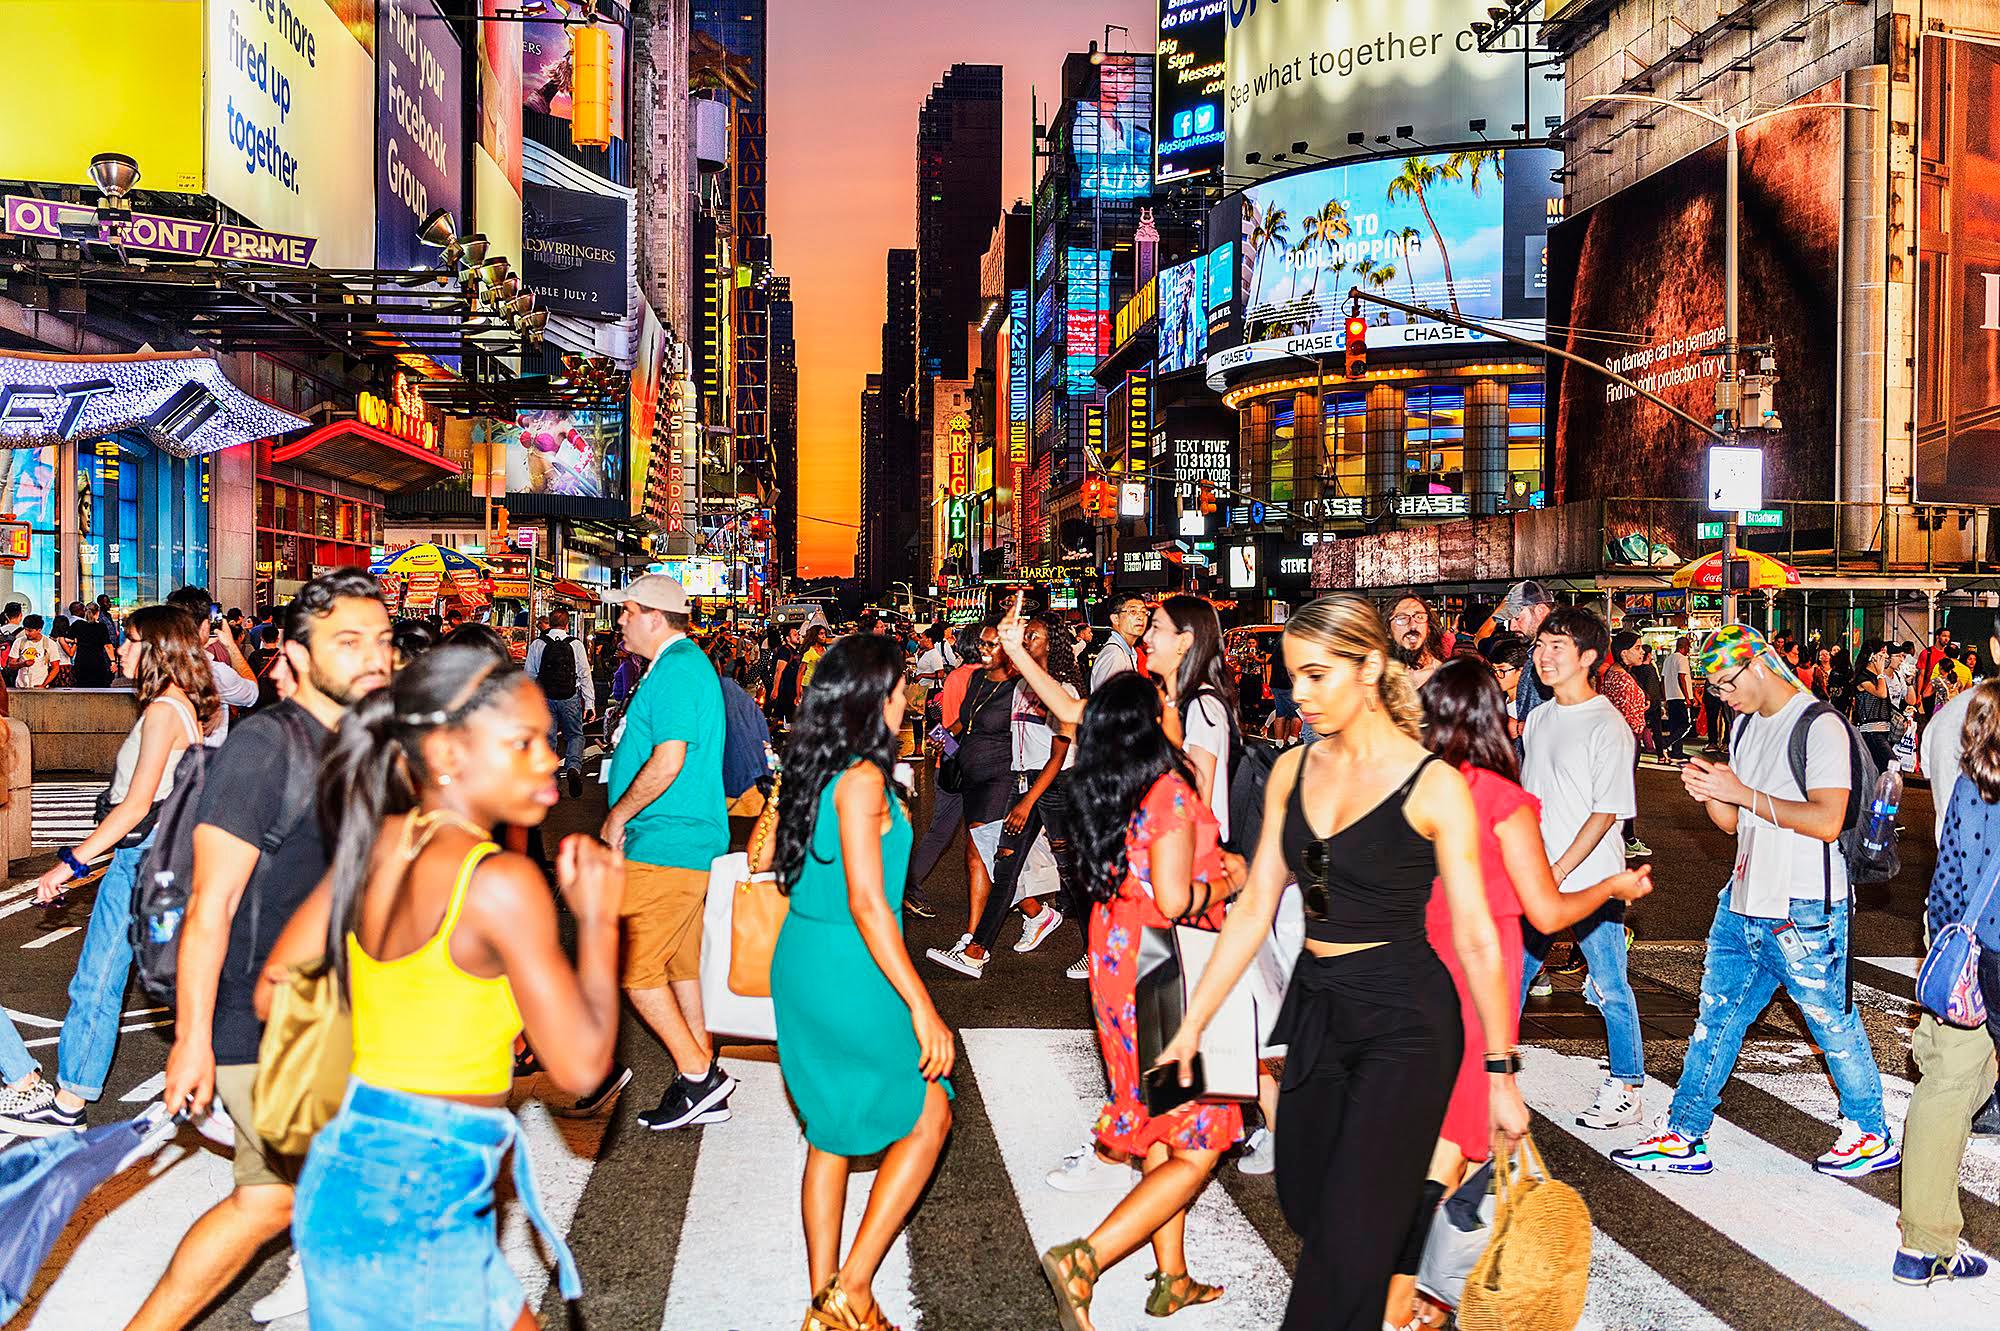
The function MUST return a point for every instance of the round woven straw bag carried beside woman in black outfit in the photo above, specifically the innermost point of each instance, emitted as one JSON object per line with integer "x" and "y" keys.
{"x": 1537, "y": 1264}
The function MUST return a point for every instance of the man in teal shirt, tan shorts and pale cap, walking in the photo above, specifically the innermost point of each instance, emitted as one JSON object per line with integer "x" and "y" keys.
{"x": 671, "y": 818}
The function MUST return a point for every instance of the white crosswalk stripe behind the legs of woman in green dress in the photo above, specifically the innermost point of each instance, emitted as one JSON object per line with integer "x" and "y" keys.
{"x": 743, "y": 1216}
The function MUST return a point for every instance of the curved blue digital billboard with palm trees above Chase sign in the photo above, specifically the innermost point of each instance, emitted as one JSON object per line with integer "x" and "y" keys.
{"x": 1459, "y": 233}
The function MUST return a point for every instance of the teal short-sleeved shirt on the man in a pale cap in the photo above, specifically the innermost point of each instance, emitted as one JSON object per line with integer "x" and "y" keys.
{"x": 679, "y": 698}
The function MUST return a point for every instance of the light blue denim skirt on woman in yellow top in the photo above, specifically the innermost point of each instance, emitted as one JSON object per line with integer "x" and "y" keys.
{"x": 395, "y": 1220}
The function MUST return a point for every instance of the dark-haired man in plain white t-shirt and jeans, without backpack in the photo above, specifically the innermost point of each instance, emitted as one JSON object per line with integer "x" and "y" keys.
{"x": 1577, "y": 760}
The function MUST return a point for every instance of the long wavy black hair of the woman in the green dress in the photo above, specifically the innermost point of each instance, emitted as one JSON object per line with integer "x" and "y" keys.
{"x": 839, "y": 720}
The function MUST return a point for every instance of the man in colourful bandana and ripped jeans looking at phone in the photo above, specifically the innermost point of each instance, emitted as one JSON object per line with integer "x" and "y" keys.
{"x": 1783, "y": 920}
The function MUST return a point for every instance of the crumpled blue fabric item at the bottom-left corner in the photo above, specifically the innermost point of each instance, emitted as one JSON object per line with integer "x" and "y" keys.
{"x": 45, "y": 1180}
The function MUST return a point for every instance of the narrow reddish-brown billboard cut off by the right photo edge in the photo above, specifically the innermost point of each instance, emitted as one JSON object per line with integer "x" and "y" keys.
{"x": 1959, "y": 275}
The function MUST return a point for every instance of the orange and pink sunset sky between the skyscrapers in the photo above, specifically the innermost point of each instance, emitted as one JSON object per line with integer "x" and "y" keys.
{"x": 845, "y": 87}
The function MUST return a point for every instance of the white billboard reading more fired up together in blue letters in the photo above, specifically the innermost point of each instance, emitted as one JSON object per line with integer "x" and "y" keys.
{"x": 289, "y": 129}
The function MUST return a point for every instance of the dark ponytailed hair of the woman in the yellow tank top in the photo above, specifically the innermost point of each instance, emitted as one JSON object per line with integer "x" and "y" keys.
{"x": 375, "y": 766}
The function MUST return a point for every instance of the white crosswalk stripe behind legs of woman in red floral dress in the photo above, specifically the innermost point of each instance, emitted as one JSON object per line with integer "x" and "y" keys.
{"x": 1043, "y": 1090}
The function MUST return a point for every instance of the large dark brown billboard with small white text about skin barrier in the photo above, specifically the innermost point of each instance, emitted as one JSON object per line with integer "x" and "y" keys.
{"x": 1637, "y": 285}
